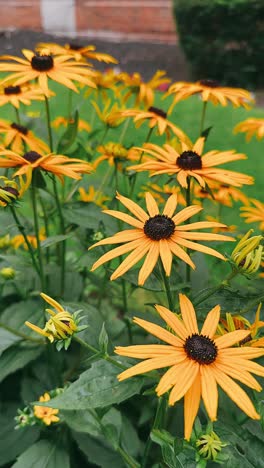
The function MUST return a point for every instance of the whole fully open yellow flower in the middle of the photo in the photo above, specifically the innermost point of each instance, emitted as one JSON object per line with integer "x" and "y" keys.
{"x": 156, "y": 235}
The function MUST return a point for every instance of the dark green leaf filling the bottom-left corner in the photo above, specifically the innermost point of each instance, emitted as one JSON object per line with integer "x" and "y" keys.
{"x": 14, "y": 442}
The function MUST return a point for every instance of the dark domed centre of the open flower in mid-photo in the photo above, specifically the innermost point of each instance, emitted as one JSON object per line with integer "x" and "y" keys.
{"x": 159, "y": 227}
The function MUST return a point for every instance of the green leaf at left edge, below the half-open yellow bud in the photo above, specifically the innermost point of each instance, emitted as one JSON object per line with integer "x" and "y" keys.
{"x": 17, "y": 357}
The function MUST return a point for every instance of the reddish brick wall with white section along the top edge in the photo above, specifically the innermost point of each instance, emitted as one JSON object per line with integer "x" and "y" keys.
{"x": 114, "y": 19}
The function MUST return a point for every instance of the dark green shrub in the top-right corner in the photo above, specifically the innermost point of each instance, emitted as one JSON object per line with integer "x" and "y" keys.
{"x": 223, "y": 39}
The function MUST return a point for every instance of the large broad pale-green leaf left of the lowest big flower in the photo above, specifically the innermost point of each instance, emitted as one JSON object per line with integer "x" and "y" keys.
{"x": 96, "y": 388}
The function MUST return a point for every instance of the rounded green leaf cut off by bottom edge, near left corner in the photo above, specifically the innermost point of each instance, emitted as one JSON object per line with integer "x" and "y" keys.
{"x": 43, "y": 454}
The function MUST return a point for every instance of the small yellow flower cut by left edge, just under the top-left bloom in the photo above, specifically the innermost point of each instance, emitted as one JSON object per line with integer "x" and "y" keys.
{"x": 16, "y": 95}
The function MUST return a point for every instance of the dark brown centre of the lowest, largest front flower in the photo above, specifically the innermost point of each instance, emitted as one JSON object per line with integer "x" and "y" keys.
{"x": 201, "y": 349}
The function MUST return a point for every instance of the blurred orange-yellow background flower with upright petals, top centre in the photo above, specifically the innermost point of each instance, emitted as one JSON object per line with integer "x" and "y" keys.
{"x": 143, "y": 92}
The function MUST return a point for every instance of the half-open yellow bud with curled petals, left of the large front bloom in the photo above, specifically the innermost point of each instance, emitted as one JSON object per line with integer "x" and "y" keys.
{"x": 62, "y": 325}
